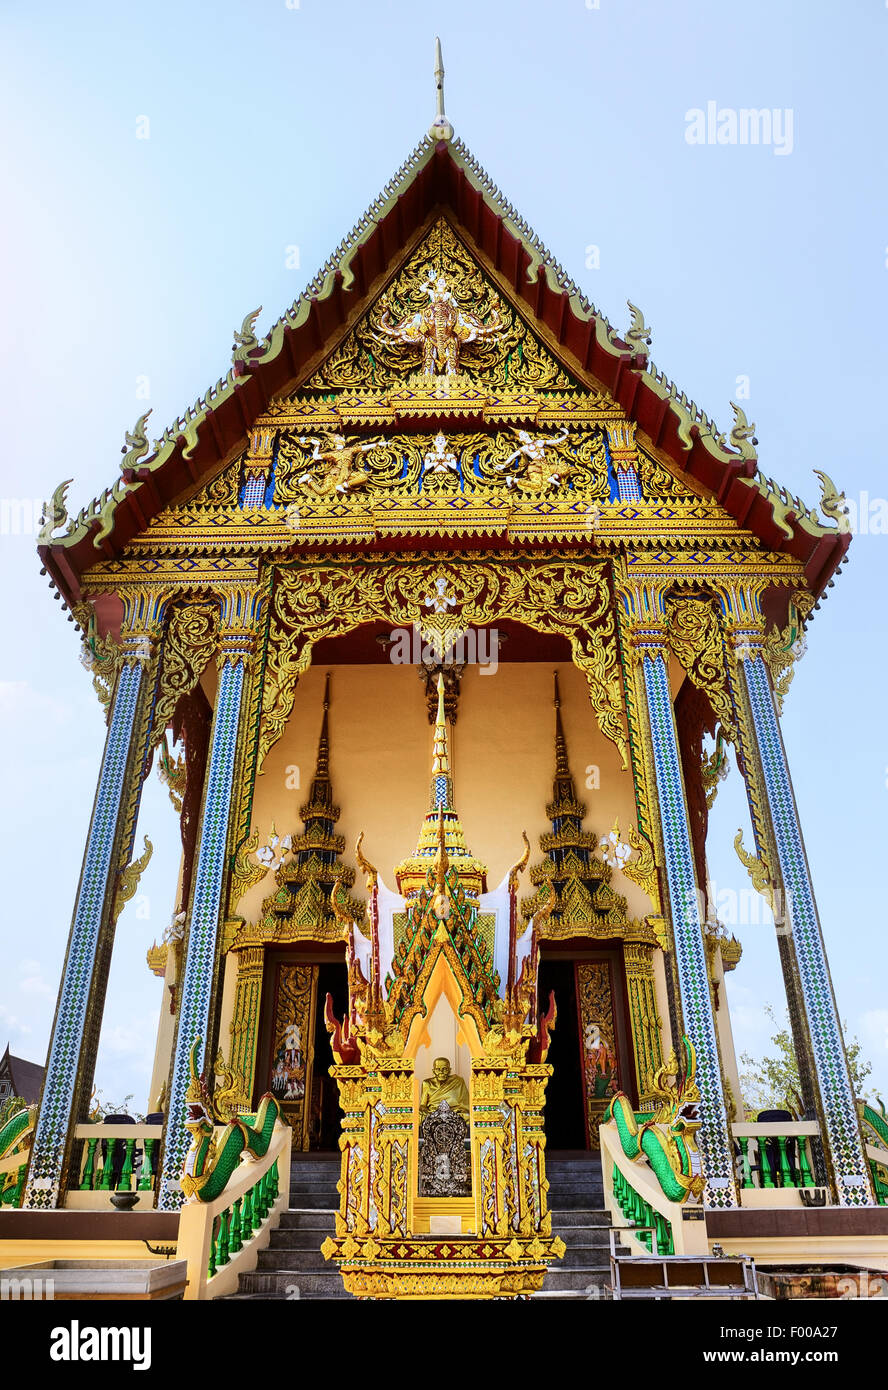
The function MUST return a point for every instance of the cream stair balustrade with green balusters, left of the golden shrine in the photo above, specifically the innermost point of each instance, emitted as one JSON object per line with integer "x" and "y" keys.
{"x": 223, "y": 1239}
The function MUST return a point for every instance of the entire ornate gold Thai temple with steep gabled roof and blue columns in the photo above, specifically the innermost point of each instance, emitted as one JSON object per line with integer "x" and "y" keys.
{"x": 427, "y": 615}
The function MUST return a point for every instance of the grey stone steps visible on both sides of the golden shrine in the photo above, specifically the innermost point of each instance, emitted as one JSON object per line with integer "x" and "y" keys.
{"x": 293, "y": 1266}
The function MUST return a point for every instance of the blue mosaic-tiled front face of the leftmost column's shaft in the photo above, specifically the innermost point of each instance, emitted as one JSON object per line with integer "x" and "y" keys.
{"x": 66, "y": 1049}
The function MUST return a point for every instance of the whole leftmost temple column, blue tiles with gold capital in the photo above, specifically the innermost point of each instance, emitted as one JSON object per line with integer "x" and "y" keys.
{"x": 72, "y": 1063}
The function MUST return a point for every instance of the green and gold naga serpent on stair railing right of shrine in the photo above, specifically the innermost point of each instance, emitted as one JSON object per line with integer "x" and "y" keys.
{"x": 666, "y": 1139}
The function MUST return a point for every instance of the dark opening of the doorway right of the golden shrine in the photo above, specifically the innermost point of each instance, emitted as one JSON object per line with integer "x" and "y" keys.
{"x": 565, "y": 1106}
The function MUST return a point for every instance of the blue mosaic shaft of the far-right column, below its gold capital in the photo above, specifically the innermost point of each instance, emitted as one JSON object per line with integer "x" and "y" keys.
{"x": 839, "y": 1115}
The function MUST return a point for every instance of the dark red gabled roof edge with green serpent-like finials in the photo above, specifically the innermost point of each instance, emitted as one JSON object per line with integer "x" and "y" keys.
{"x": 440, "y": 174}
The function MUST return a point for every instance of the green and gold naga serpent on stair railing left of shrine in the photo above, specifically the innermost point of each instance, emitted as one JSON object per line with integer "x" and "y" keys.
{"x": 212, "y": 1160}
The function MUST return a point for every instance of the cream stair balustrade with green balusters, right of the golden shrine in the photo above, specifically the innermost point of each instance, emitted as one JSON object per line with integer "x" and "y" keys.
{"x": 648, "y": 1221}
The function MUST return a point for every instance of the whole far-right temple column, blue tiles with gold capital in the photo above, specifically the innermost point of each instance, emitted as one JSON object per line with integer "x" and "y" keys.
{"x": 804, "y": 954}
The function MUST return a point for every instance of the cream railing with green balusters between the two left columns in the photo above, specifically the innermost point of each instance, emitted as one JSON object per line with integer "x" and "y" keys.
{"x": 113, "y": 1159}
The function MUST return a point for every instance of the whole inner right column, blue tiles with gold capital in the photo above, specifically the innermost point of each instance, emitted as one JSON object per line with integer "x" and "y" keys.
{"x": 647, "y": 629}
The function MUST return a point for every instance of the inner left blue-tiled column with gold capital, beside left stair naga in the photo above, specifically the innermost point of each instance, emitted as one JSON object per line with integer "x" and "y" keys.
{"x": 202, "y": 949}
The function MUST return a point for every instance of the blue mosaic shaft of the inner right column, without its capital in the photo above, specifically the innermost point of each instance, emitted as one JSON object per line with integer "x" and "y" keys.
{"x": 715, "y": 1142}
